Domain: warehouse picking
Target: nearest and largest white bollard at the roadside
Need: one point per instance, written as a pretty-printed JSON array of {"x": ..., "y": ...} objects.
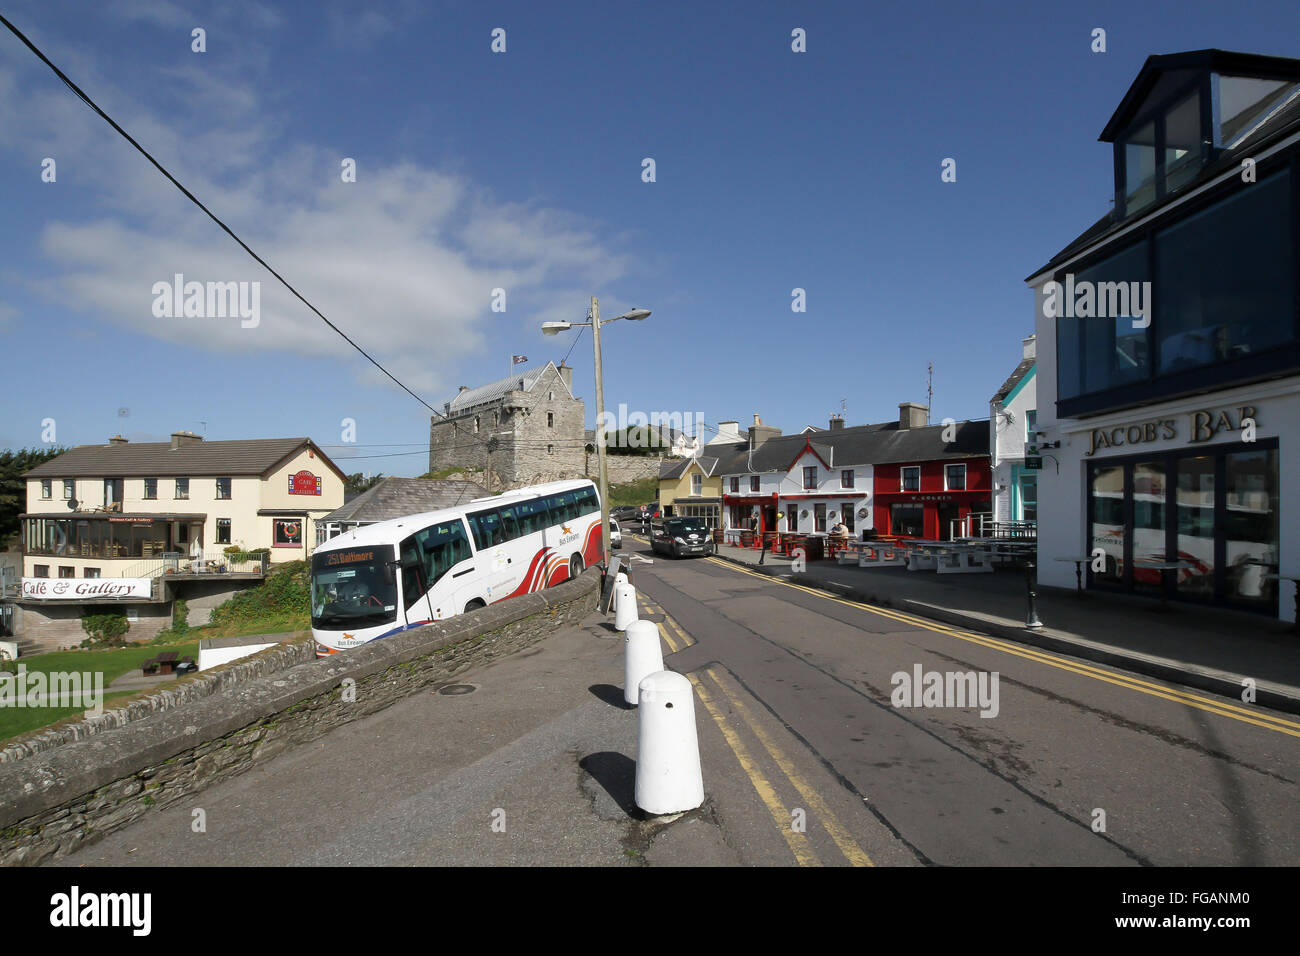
[{"x": 669, "y": 778}]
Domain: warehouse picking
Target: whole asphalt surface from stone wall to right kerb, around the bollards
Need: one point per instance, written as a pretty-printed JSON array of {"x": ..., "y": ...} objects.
[{"x": 807, "y": 760}]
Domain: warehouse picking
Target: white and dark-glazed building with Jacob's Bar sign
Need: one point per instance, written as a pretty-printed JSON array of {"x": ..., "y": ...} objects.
[{"x": 1169, "y": 347}]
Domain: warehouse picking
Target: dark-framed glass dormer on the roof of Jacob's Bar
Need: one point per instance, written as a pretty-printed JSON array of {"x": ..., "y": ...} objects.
[{"x": 1184, "y": 113}]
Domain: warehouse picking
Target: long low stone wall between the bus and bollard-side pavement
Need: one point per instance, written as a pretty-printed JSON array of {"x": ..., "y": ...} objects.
[{"x": 55, "y": 802}]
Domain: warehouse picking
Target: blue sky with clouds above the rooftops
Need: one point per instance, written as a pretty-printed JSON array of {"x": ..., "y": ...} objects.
[{"x": 522, "y": 171}]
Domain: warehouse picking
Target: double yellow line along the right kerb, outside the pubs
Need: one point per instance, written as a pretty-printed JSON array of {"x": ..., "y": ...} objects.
[{"x": 1260, "y": 719}]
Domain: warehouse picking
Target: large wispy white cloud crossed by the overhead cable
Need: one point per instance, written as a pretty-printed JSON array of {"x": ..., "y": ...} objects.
[{"x": 404, "y": 261}]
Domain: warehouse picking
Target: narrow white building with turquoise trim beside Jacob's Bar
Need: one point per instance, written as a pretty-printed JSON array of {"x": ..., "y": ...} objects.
[{"x": 1012, "y": 417}]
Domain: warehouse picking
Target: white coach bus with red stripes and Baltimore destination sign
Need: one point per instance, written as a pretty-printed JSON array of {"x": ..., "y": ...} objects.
[{"x": 385, "y": 578}]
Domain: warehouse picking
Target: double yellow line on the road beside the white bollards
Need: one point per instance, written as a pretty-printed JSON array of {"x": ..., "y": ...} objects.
[{"x": 785, "y": 819}]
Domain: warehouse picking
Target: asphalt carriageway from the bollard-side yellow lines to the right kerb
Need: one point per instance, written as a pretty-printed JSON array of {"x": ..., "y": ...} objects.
[{"x": 1081, "y": 765}]
